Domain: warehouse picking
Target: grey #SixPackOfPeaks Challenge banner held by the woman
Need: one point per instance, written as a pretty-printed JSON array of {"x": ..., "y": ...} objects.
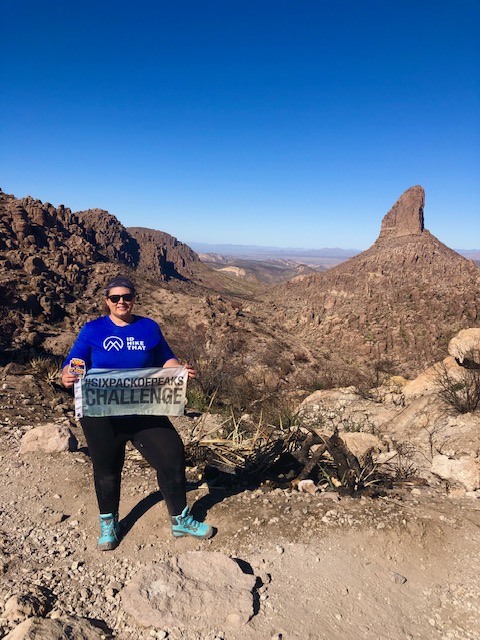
[{"x": 124, "y": 392}]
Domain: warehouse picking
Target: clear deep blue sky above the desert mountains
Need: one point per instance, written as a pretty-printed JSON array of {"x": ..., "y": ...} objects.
[{"x": 283, "y": 123}]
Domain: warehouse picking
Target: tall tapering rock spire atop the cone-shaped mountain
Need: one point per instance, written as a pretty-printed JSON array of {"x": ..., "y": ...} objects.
[{"x": 406, "y": 215}]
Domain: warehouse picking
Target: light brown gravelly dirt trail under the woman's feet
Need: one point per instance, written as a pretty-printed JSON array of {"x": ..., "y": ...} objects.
[{"x": 403, "y": 566}]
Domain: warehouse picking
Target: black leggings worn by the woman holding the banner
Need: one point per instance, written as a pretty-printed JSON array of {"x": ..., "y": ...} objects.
[{"x": 158, "y": 442}]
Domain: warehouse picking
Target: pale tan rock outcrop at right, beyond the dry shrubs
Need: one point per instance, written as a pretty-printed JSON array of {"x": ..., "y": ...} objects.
[{"x": 420, "y": 430}]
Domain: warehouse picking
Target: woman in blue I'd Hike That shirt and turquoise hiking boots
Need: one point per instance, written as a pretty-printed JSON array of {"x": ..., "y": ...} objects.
[{"x": 106, "y": 343}]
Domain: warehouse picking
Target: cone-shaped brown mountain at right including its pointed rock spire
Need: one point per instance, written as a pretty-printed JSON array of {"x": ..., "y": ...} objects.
[{"x": 396, "y": 304}]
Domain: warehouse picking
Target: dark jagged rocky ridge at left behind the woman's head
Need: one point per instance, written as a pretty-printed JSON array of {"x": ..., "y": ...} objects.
[{"x": 53, "y": 264}]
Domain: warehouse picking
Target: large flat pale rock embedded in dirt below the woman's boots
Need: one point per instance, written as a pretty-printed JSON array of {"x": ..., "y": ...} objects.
[{"x": 194, "y": 590}]
